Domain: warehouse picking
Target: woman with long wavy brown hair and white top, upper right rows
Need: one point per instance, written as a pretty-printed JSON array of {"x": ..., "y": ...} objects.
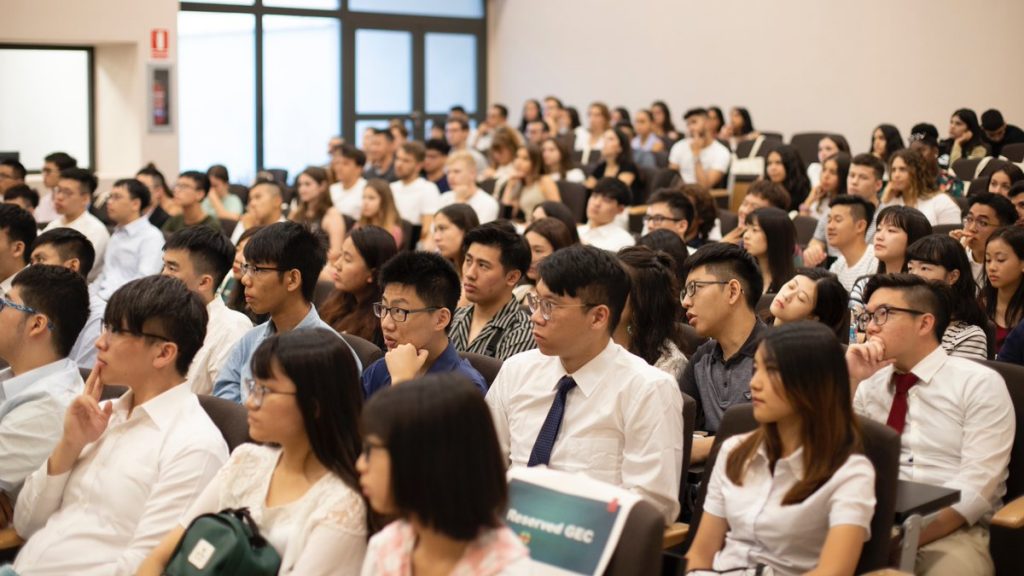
[{"x": 912, "y": 184}]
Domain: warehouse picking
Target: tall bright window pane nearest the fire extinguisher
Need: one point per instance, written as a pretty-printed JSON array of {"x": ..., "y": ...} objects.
[{"x": 217, "y": 72}]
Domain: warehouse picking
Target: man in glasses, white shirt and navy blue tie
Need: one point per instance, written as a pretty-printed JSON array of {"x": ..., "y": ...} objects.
[{"x": 549, "y": 403}]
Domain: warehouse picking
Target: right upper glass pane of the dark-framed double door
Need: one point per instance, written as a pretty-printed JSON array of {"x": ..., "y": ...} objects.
[{"x": 451, "y": 72}]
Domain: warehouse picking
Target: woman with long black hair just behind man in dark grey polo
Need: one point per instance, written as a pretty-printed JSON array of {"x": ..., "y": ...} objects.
[{"x": 772, "y": 238}]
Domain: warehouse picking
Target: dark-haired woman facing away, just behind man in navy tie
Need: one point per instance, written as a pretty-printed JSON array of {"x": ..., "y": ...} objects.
[{"x": 651, "y": 318}]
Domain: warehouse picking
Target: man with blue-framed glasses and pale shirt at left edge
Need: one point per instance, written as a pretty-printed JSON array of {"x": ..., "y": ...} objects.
[{"x": 41, "y": 317}]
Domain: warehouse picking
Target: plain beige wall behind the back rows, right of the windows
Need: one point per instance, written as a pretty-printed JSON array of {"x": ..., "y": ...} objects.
[{"x": 796, "y": 65}]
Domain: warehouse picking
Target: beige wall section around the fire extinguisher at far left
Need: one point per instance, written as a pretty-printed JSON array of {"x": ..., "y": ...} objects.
[{"x": 120, "y": 32}]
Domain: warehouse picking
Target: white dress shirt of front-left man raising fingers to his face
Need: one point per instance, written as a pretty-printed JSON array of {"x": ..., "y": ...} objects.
[{"x": 126, "y": 491}]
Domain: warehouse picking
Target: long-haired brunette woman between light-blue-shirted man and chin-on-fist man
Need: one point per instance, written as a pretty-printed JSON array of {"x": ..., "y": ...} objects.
[{"x": 350, "y": 309}]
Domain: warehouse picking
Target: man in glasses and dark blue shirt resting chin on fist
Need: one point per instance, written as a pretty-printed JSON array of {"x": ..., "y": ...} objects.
[{"x": 420, "y": 293}]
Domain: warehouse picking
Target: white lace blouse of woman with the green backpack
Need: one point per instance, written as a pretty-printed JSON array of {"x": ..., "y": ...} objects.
[{"x": 324, "y": 532}]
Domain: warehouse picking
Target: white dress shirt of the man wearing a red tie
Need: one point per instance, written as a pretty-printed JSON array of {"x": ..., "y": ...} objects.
[{"x": 960, "y": 429}]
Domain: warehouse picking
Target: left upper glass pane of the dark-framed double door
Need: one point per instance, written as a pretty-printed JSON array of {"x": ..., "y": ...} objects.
[{"x": 383, "y": 72}]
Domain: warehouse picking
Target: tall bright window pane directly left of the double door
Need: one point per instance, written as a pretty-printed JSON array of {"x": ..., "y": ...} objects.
[{"x": 302, "y": 91}]
